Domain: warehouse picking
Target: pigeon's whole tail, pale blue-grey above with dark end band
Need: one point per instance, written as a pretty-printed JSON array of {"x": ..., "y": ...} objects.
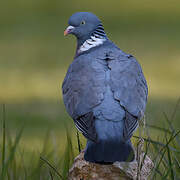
[{"x": 111, "y": 145}]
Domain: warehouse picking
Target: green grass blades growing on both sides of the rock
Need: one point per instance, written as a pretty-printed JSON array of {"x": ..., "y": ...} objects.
[{"x": 55, "y": 157}]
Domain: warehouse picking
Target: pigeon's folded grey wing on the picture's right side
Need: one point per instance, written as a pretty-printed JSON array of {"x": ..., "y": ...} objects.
[{"x": 130, "y": 89}]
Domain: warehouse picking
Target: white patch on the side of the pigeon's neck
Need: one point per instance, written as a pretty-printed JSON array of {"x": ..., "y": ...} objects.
[{"x": 90, "y": 43}]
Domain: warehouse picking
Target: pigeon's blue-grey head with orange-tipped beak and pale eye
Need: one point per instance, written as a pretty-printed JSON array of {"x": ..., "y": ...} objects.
[{"x": 83, "y": 25}]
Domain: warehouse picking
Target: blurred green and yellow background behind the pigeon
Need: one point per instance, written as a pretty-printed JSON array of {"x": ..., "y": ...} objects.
[{"x": 34, "y": 57}]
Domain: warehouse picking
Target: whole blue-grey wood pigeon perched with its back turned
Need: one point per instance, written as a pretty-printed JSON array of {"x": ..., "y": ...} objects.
[{"x": 104, "y": 91}]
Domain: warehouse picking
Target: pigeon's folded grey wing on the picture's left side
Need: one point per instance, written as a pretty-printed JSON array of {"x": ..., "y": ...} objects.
[{"x": 83, "y": 89}]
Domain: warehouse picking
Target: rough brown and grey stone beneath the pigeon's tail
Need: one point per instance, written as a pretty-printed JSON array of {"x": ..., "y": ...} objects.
[{"x": 83, "y": 170}]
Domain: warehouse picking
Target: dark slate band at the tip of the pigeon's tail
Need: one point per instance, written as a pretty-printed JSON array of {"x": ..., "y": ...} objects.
[{"x": 109, "y": 151}]
